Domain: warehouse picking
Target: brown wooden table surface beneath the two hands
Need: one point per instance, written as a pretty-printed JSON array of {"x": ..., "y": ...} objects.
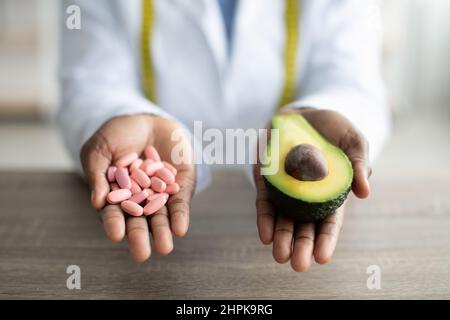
[{"x": 46, "y": 224}]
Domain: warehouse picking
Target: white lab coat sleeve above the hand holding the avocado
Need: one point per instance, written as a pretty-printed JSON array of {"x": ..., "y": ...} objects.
[{"x": 342, "y": 70}]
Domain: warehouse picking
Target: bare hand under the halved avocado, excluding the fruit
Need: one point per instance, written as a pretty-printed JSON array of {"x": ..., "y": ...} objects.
[{"x": 298, "y": 242}]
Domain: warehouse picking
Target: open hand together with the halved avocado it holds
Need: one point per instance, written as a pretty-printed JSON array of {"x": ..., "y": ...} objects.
[{"x": 322, "y": 156}]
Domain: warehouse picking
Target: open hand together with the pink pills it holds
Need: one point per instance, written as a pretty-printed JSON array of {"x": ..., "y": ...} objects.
[{"x": 138, "y": 189}]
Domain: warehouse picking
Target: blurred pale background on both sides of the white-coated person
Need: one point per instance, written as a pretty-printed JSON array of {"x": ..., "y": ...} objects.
[{"x": 416, "y": 67}]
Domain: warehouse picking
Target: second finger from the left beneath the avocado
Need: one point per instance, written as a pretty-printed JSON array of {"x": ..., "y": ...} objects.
[{"x": 282, "y": 239}]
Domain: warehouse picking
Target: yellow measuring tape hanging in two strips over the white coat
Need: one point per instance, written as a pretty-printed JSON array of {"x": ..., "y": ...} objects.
[{"x": 291, "y": 24}]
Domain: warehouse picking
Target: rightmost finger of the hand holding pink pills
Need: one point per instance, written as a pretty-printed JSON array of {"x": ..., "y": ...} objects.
[{"x": 179, "y": 203}]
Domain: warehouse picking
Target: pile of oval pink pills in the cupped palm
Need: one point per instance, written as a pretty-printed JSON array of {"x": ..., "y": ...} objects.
[{"x": 141, "y": 186}]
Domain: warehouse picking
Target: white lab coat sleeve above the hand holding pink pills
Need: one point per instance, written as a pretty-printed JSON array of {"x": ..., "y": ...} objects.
[{"x": 99, "y": 75}]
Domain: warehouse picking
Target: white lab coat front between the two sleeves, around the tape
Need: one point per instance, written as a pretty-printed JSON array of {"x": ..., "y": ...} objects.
[{"x": 196, "y": 78}]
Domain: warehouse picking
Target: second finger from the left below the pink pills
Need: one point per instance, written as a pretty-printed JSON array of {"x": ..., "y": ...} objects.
[{"x": 138, "y": 238}]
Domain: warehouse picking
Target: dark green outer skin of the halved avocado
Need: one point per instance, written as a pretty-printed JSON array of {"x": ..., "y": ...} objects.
[{"x": 300, "y": 210}]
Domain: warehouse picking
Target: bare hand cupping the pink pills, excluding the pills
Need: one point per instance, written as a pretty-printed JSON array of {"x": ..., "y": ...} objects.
[{"x": 122, "y": 135}]
